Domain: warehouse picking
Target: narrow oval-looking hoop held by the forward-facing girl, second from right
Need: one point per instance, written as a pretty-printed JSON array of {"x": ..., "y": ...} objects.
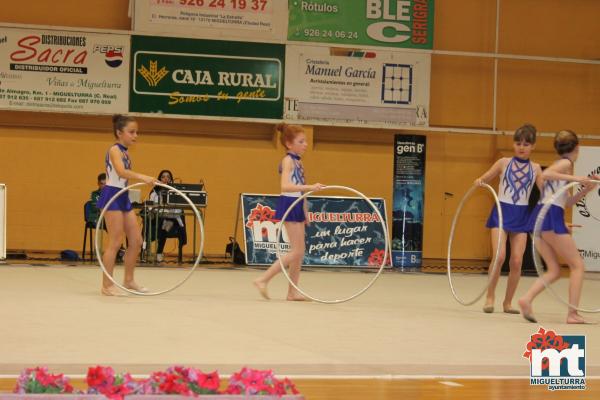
[{"x": 451, "y": 238}]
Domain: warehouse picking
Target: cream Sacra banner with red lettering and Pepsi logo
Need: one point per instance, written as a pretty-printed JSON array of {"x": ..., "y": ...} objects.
[{"x": 63, "y": 71}]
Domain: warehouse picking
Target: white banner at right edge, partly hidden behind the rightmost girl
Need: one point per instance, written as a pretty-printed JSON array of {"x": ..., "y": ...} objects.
[{"x": 586, "y": 213}]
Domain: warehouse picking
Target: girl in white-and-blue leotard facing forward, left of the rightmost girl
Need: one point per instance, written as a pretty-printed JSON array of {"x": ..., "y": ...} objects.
[{"x": 517, "y": 177}]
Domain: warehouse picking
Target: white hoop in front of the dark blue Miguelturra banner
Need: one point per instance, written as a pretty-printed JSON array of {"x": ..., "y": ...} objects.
[{"x": 355, "y": 295}]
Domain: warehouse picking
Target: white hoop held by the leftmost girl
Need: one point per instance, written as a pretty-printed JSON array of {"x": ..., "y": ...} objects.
[{"x": 99, "y": 226}]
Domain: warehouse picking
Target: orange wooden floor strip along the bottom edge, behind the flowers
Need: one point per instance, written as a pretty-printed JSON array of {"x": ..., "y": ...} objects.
[{"x": 425, "y": 389}]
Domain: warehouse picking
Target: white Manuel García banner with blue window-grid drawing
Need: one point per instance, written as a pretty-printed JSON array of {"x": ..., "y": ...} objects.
[{"x": 358, "y": 87}]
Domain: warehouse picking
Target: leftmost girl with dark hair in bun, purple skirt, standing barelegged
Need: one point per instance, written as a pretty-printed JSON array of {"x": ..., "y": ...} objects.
[{"x": 120, "y": 218}]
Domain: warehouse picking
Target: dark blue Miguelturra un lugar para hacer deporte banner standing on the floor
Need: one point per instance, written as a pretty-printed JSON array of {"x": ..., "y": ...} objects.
[{"x": 343, "y": 231}]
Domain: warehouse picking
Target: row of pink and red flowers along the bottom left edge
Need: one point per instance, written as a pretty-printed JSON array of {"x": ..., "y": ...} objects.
[{"x": 176, "y": 380}]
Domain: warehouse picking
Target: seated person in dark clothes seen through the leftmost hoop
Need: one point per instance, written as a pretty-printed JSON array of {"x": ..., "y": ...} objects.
[{"x": 171, "y": 221}]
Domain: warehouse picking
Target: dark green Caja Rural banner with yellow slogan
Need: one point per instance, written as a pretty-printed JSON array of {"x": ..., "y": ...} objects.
[{"x": 206, "y": 77}]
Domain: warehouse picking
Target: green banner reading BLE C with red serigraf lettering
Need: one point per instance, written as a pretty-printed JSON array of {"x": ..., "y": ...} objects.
[{"x": 389, "y": 23}]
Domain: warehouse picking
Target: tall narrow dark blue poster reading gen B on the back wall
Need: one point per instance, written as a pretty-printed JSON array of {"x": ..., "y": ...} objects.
[{"x": 408, "y": 203}]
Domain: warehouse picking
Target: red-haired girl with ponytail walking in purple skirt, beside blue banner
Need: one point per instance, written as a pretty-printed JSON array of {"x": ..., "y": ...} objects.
[{"x": 293, "y": 184}]
